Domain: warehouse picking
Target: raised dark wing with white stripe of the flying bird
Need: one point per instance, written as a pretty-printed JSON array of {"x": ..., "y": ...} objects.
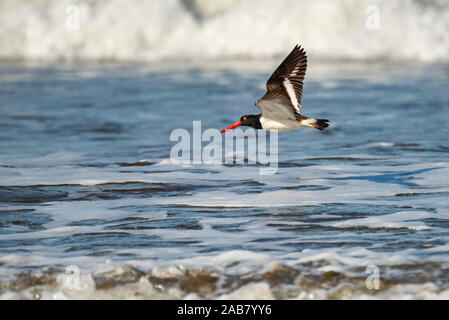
[{"x": 284, "y": 88}]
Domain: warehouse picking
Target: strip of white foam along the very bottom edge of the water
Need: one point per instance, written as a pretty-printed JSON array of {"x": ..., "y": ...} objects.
[{"x": 258, "y": 290}]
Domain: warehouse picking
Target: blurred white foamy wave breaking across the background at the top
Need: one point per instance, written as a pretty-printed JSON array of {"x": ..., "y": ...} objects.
[{"x": 200, "y": 29}]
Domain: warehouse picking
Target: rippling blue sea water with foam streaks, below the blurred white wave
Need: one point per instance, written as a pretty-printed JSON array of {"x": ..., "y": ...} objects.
[{"x": 89, "y": 195}]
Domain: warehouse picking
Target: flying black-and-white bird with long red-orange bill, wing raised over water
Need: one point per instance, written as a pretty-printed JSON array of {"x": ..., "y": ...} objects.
[{"x": 281, "y": 103}]
